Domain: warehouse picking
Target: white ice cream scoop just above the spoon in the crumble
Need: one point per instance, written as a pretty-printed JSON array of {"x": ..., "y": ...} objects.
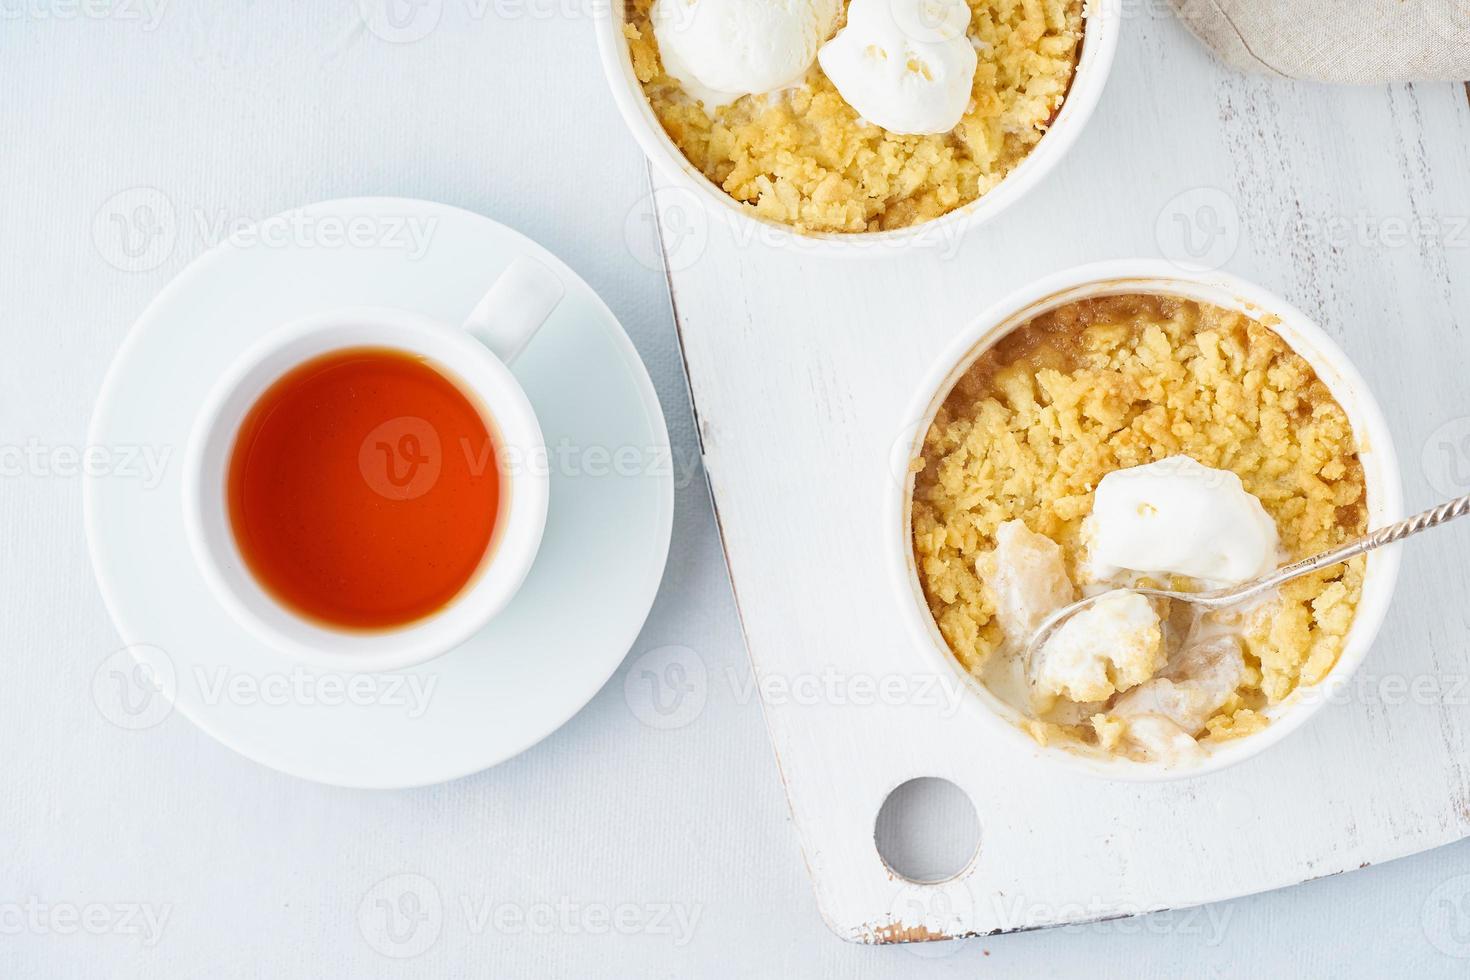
[{"x": 1180, "y": 518}]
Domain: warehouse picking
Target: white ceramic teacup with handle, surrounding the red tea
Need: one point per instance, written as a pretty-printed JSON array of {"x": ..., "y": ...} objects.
[{"x": 476, "y": 355}]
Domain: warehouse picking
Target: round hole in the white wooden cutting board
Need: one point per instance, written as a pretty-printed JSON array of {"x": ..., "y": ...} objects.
[{"x": 928, "y": 831}]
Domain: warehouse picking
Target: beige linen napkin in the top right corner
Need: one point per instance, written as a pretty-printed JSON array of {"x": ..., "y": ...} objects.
[{"x": 1352, "y": 42}]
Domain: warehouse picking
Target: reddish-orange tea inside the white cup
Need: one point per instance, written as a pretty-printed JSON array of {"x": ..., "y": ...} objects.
[{"x": 364, "y": 490}]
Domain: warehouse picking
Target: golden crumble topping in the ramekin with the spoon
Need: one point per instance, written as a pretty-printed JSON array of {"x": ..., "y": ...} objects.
[{"x": 1114, "y": 383}]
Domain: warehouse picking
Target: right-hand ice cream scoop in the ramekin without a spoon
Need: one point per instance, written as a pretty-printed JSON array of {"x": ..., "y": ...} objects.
[{"x": 905, "y": 65}]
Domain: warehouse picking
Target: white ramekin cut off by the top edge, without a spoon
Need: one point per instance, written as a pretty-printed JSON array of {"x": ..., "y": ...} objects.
[{"x": 1100, "y": 42}]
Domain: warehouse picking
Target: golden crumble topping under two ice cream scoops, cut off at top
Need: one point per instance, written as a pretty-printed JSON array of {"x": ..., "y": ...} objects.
[{"x": 806, "y": 159}]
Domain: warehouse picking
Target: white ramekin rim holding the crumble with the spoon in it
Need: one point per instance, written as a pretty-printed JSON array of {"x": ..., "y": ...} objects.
[{"x": 1333, "y": 367}]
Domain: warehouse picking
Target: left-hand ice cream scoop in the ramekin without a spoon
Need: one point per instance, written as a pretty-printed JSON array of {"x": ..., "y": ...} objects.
[{"x": 720, "y": 51}]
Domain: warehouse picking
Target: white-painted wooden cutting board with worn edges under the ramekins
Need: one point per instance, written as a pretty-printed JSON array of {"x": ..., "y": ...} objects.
[{"x": 1352, "y": 203}]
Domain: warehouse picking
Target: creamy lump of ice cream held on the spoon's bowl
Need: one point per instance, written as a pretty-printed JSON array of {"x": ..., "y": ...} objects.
[{"x": 1112, "y": 646}]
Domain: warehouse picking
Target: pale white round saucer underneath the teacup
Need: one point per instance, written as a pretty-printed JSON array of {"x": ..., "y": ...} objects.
[{"x": 542, "y": 660}]
